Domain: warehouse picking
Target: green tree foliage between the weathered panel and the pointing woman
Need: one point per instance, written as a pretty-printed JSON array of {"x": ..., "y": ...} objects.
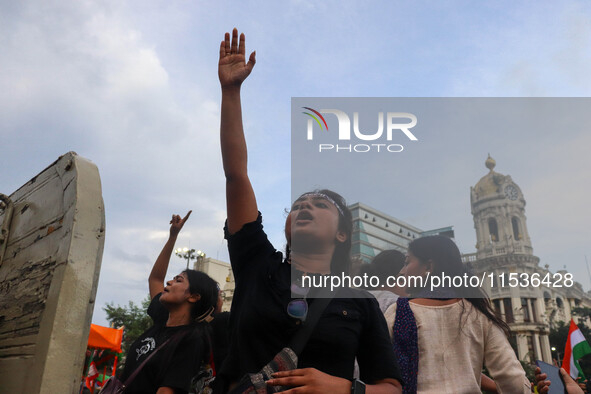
[{"x": 133, "y": 317}]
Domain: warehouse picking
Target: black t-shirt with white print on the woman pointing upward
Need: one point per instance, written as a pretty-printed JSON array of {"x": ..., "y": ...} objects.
[{"x": 172, "y": 366}]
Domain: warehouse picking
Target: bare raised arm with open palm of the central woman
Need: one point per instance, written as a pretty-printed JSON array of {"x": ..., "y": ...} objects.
[{"x": 232, "y": 71}]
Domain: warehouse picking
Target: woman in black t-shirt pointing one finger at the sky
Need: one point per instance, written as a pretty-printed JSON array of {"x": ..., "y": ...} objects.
[{"x": 176, "y": 346}]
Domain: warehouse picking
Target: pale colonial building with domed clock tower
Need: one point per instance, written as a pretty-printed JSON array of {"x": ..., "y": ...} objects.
[{"x": 504, "y": 249}]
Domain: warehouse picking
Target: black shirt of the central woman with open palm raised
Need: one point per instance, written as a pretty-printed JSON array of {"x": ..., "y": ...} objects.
[{"x": 261, "y": 327}]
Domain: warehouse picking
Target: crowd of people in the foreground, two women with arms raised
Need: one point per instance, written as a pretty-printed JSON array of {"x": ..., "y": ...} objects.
[{"x": 281, "y": 335}]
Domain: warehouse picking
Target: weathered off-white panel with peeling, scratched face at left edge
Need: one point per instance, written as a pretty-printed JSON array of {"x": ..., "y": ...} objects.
[{"x": 49, "y": 266}]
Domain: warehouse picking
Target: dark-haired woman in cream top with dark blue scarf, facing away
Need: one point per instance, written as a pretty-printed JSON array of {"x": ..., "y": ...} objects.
[{"x": 442, "y": 340}]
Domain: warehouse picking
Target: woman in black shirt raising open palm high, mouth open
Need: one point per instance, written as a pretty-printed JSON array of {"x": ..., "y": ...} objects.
[{"x": 264, "y": 317}]
